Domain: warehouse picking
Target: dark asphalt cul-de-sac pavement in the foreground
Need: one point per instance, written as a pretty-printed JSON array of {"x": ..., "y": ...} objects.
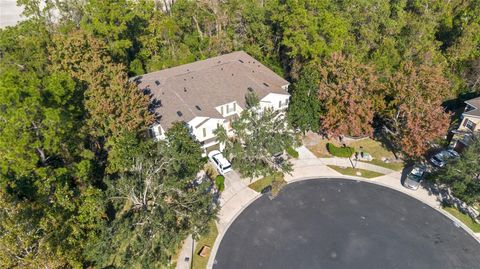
[{"x": 337, "y": 223}]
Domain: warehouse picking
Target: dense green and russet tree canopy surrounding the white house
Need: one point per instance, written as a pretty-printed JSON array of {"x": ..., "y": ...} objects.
[{"x": 71, "y": 120}]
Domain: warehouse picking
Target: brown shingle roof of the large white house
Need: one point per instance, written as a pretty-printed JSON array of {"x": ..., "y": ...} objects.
[{"x": 194, "y": 90}]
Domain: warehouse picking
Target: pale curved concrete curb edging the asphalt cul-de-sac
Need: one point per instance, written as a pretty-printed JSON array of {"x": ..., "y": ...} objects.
[{"x": 438, "y": 209}]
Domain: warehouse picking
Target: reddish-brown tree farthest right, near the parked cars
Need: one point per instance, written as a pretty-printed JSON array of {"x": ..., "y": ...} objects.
[{"x": 414, "y": 115}]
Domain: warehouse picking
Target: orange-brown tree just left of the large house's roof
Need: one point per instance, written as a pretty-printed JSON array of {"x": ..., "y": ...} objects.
[{"x": 114, "y": 106}]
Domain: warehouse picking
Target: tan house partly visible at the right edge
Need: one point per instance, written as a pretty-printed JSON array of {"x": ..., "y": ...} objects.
[{"x": 470, "y": 123}]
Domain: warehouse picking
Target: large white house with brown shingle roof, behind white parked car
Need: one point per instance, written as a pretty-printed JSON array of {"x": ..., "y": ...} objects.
[{"x": 211, "y": 93}]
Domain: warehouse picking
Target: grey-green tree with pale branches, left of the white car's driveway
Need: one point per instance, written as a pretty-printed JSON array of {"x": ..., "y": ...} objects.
[{"x": 155, "y": 204}]
